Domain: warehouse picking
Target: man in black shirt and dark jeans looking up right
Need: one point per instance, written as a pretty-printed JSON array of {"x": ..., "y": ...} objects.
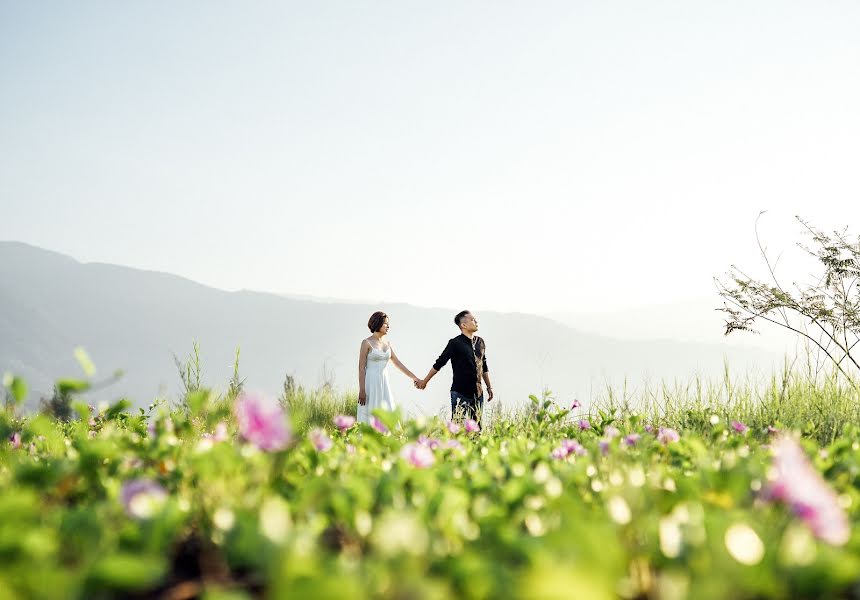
[{"x": 468, "y": 355}]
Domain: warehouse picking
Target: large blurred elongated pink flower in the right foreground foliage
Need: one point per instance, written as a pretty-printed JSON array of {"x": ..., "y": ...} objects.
[{"x": 799, "y": 485}]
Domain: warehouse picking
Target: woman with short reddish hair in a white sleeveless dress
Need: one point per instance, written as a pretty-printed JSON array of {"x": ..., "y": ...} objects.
[{"x": 374, "y": 390}]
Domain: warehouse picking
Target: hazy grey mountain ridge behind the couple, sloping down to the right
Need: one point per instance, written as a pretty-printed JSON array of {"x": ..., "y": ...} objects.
[{"x": 137, "y": 320}]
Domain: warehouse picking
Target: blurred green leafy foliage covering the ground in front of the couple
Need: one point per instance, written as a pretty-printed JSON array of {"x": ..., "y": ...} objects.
[{"x": 171, "y": 501}]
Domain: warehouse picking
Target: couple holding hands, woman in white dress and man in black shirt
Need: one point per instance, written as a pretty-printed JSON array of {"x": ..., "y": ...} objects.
[{"x": 467, "y": 353}]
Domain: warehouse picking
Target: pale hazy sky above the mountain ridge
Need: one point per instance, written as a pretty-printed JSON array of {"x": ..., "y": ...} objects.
[{"x": 513, "y": 156}]
